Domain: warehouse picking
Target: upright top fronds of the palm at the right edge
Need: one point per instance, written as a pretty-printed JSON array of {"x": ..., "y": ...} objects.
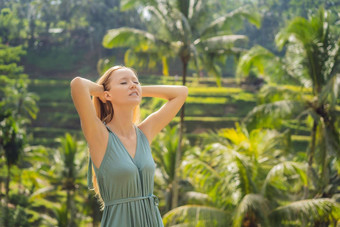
[{"x": 318, "y": 51}]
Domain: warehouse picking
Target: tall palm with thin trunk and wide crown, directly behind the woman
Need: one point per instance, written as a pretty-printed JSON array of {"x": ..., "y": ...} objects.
[{"x": 184, "y": 29}]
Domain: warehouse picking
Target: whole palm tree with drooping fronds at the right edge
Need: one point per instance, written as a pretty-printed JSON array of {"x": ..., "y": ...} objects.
[{"x": 311, "y": 61}]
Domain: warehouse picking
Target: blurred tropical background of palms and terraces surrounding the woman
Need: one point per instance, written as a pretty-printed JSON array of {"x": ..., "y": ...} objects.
[{"x": 257, "y": 143}]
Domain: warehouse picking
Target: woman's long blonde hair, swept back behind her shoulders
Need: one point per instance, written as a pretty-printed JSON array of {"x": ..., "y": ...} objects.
[{"x": 105, "y": 113}]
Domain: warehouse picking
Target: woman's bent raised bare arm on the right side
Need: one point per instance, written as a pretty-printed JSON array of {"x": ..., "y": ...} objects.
[{"x": 156, "y": 121}]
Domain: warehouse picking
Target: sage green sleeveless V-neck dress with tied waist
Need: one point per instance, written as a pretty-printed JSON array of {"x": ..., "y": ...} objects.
[{"x": 126, "y": 184}]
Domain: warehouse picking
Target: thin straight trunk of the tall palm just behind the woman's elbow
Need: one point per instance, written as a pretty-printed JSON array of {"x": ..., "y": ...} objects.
[{"x": 175, "y": 188}]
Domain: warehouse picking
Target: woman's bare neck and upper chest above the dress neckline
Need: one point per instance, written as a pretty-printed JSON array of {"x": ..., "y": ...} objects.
[{"x": 121, "y": 122}]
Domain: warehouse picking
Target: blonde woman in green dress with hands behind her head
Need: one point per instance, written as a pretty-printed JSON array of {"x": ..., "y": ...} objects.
[{"x": 121, "y": 168}]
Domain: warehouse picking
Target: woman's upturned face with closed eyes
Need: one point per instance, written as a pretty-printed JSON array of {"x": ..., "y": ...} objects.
[{"x": 124, "y": 88}]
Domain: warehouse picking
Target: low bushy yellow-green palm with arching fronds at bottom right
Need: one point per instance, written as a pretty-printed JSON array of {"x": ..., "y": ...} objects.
[{"x": 250, "y": 183}]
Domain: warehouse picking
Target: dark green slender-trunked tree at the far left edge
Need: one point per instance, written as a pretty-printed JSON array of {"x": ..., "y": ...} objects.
[{"x": 18, "y": 107}]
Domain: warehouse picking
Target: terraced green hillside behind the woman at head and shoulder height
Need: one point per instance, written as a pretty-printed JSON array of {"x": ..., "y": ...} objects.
[{"x": 207, "y": 108}]
